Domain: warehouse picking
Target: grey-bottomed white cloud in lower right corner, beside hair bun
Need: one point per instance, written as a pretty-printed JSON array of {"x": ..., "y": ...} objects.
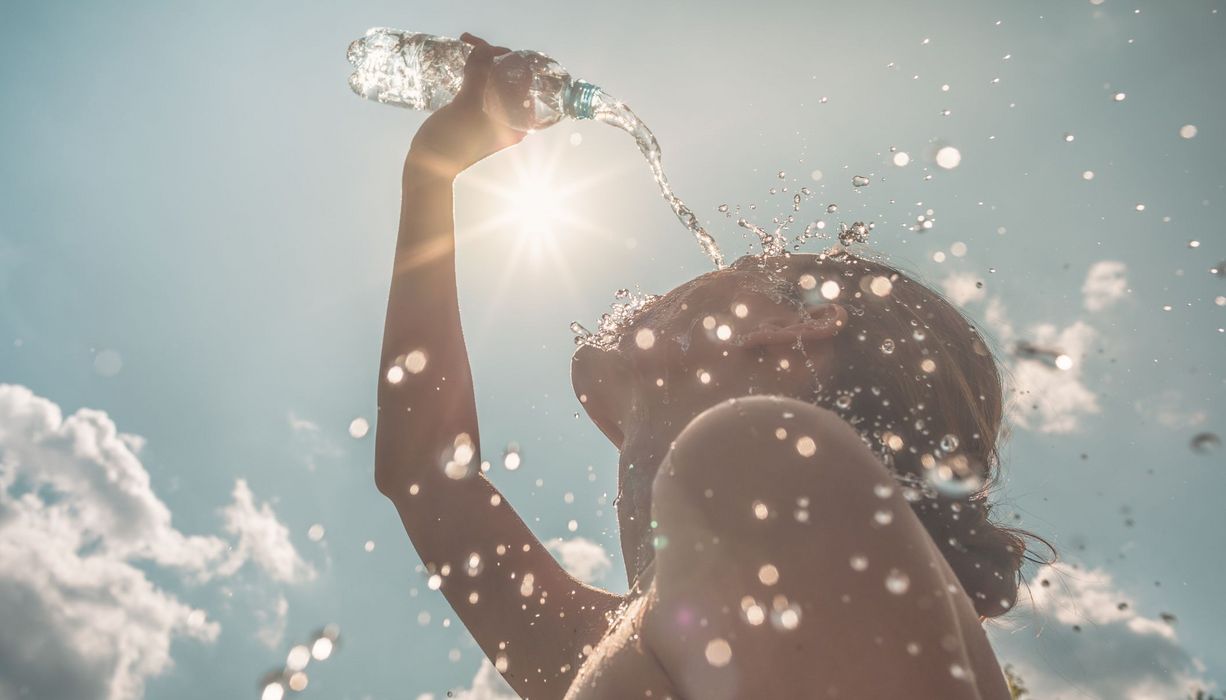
[{"x": 1116, "y": 652}]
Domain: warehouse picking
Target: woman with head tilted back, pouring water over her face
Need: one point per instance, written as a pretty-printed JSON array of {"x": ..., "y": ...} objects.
[{"x": 805, "y": 447}]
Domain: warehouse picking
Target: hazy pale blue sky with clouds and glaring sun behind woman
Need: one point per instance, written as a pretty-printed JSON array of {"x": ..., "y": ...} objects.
[{"x": 197, "y": 227}]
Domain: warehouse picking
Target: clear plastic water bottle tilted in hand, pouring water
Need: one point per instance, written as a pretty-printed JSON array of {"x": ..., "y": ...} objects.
[{"x": 527, "y": 90}]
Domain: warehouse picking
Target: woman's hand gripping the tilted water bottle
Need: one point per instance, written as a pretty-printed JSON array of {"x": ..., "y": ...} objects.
[{"x": 462, "y": 134}]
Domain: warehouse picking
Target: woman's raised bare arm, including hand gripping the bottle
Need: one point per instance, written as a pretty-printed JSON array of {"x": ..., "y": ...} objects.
[{"x": 508, "y": 590}]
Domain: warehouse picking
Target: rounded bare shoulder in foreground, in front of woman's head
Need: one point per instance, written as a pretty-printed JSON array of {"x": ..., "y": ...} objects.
[{"x": 790, "y": 565}]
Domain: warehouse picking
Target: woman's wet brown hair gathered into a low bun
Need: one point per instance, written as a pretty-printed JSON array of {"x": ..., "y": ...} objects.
[{"x": 919, "y": 382}]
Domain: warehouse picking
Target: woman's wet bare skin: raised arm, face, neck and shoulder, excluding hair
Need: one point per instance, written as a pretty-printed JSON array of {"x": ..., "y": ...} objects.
[{"x": 699, "y": 465}]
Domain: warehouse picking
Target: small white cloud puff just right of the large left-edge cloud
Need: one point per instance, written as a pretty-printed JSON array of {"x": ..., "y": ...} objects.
[{"x": 263, "y": 540}]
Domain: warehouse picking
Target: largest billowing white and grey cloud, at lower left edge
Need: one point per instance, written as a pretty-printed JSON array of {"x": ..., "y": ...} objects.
[{"x": 79, "y": 525}]
